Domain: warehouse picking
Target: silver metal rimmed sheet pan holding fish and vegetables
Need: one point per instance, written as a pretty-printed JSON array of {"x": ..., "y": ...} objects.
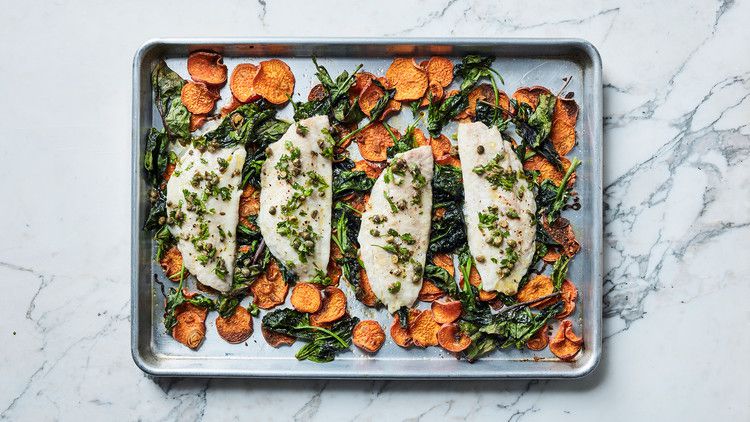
[{"x": 522, "y": 62}]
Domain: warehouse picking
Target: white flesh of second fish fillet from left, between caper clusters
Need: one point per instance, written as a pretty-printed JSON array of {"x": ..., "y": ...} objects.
[{"x": 313, "y": 214}]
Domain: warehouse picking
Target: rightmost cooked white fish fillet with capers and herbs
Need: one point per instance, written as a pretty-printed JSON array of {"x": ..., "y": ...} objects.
[{"x": 499, "y": 207}]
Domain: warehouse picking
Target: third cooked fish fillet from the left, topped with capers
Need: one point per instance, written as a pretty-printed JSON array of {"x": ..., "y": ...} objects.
[{"x": 397, "y": 217}]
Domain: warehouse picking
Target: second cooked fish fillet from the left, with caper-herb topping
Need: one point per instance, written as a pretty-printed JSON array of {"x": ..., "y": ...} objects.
[{"x": 295, "y": 198}]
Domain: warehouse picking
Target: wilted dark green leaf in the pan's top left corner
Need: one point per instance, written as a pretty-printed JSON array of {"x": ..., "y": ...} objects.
[{"x": 167, "y": 86}]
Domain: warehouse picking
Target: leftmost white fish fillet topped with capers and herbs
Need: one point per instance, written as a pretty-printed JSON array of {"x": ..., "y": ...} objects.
[{"x": 218, "y": 225}]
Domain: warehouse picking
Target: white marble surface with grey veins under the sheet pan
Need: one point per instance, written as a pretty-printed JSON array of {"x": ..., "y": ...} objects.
[{"x": 677, "y": 176}]
